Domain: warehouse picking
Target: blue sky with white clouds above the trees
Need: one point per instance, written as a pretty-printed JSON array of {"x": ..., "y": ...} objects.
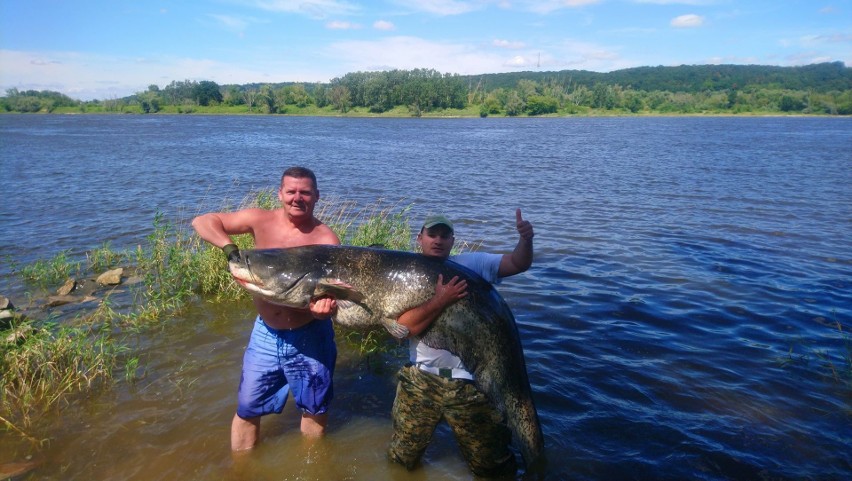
[{"x": 105, "y": 49}]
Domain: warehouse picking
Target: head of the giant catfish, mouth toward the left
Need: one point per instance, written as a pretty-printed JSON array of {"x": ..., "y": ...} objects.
[{"x": 280, "y": 276}]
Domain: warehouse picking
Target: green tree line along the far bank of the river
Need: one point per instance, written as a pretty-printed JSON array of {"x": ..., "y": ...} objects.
[{"x": 813, "y": 89}]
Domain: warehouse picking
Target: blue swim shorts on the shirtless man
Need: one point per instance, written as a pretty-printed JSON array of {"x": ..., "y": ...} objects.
[{"x": 278, "y": 361}]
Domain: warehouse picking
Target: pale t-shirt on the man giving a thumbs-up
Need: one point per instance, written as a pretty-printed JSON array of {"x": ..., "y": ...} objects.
[{"x": 487, "y": 266}]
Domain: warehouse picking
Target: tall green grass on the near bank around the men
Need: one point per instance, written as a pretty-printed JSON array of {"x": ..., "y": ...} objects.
[{"x": 47, "y": 364}]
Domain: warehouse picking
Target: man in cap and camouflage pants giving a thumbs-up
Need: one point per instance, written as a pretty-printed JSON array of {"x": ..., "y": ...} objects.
[{"x": 435, "y": 385}]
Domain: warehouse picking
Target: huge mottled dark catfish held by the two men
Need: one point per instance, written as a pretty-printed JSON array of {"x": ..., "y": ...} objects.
[{"x": 374, "y": 286}]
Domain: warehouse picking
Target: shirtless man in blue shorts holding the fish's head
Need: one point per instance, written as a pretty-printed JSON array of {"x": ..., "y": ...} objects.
[{"x": 290, "y": 349}]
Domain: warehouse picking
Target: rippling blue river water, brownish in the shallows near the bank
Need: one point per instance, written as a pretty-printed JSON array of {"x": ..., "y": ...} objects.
[{"x": 686, "y": 316}]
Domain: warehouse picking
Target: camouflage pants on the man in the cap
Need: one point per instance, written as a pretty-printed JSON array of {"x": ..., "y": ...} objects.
[{"x": 423, "y": 399}]
